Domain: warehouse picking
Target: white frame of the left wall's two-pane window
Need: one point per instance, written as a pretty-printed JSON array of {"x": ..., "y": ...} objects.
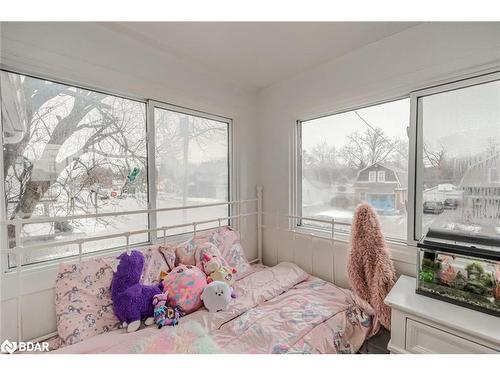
[{"x": 151, "y": 170}]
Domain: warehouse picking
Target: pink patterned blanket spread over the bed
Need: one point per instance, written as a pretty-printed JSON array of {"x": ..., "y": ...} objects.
[{"x": 280, "y": 309}]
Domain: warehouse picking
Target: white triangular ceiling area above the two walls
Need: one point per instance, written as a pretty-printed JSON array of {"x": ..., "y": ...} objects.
[{"x": 258, "y": 54}]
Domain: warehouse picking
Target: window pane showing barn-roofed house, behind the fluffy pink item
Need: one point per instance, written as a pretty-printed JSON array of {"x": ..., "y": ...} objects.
[{"x": 357, "y": 156}]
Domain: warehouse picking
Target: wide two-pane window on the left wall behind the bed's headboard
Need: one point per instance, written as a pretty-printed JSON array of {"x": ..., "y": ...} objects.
[{"x": 71, "y": 151}]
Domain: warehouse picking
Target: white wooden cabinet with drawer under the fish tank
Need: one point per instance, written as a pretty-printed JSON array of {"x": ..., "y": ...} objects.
[{"x": 425, "y": 325}]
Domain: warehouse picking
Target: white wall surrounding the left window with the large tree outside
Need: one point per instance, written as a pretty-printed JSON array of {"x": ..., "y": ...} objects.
[{"x": 94, "y": 56}]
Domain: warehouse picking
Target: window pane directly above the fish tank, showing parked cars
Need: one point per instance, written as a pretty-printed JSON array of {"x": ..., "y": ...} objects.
[{"x": 461, "y": 162}]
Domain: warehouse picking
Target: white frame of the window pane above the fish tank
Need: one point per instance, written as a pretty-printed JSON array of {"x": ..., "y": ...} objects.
[{"x": 415, "y": 170}]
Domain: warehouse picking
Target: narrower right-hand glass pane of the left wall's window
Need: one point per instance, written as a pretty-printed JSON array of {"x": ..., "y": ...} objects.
[{"x": 191, "y": 167}]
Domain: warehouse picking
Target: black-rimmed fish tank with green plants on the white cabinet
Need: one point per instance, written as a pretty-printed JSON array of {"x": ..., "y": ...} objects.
[{"x": 460, "y": 269}]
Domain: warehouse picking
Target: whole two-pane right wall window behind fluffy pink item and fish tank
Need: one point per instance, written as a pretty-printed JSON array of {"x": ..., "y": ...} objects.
[{"x": 451, "y": 147}]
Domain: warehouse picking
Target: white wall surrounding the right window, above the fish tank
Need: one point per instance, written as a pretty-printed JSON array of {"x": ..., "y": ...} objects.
[{"x": 390, "y": 68}]
